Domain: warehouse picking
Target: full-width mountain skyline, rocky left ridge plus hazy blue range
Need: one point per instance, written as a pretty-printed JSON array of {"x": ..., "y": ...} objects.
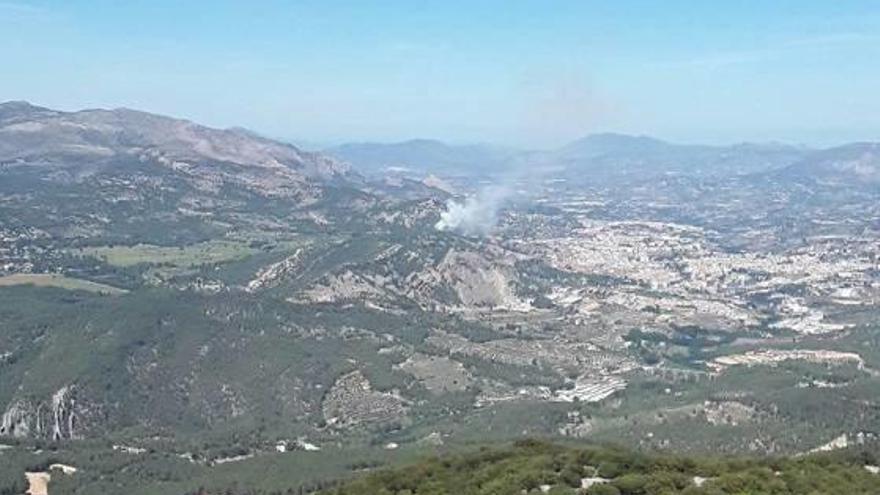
[{"x": 74, "y": 145}]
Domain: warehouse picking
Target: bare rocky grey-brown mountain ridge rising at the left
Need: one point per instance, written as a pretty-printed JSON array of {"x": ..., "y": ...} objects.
[{"x": 79, "y": 144}]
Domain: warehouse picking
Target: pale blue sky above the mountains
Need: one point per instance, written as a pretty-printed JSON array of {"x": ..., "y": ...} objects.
[{"x": 523, "y": 73}]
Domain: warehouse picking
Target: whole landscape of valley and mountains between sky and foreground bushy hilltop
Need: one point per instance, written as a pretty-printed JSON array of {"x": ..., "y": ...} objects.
[{"x": 176, "y": 298}]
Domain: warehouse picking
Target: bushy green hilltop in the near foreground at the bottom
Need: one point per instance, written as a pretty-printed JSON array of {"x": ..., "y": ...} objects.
[{"x": 539, "y": 467}]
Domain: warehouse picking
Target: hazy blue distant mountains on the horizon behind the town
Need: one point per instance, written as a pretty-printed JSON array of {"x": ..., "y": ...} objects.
[{"x": 614, "y": 157}]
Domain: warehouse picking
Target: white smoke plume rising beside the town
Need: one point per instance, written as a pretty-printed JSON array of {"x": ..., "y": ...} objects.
[{"x": 475, "y": 215}]
